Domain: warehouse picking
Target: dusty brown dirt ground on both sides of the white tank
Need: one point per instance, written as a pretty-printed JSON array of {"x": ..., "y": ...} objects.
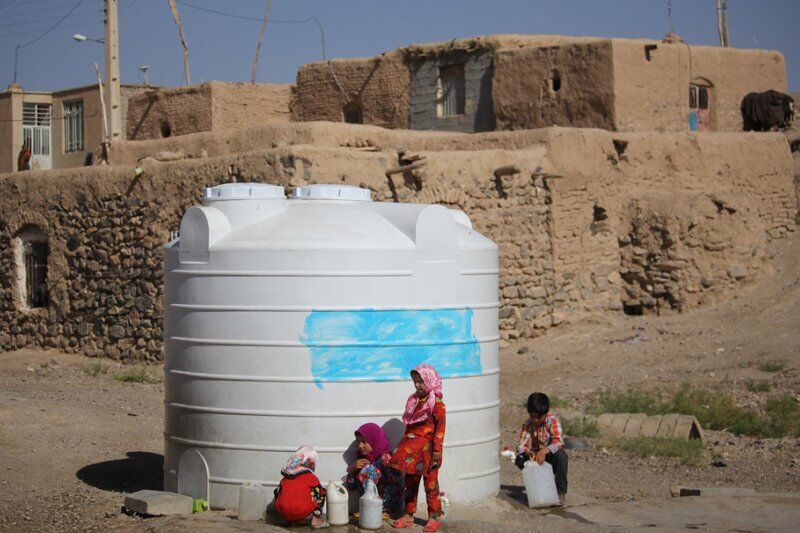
[{"x": 71, "y": 443}]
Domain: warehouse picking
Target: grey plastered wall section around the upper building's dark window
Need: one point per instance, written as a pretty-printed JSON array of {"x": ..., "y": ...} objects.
[{"x": 478, "y": 111}]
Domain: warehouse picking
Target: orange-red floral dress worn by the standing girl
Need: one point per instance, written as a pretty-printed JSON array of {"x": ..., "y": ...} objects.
[{"x": 414, "y": 453}]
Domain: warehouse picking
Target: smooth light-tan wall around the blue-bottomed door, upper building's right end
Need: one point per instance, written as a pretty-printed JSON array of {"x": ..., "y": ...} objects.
[{"x": 652, "y": 95}]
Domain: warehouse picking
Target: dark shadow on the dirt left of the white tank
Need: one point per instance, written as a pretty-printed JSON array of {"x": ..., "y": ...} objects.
[{"x": 140, "y": 470}]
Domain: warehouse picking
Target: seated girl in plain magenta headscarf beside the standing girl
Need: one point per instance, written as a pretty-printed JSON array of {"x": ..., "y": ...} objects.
[{"x": 373, "y": 463}]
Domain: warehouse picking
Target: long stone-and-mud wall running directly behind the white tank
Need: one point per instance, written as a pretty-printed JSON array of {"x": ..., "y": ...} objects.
[{"x": 664, "y": 223}]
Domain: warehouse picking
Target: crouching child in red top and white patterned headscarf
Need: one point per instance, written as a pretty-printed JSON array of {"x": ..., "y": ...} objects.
[{"x": 300, "y": 496}]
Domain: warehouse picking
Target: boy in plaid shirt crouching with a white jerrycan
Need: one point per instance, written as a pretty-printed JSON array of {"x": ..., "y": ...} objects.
[{"x": 541, "y": 439}]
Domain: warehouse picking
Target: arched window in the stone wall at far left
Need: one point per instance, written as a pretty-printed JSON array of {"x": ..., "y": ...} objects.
[{"x": 32, "y": 251}]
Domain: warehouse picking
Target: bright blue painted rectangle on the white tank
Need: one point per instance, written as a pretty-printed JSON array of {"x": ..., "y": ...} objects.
[{"x": 388, "y": 344}]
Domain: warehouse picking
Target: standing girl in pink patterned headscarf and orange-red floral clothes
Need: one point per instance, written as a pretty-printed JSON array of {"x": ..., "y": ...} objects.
[{"x": 419, "y": 454}]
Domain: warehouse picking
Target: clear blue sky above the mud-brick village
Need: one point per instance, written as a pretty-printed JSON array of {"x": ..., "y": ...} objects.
[{"x": 222, "y": 48}]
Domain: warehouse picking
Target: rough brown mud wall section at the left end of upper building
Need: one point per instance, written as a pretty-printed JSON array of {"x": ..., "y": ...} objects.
[{"x": 380, "y": 85}]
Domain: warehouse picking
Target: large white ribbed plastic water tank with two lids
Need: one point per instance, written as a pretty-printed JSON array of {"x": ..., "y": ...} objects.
[{"x": 294, "y": 321}]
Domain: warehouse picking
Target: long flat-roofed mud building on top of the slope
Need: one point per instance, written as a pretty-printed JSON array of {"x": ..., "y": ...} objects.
[{"x": 511, "y": 82}]
